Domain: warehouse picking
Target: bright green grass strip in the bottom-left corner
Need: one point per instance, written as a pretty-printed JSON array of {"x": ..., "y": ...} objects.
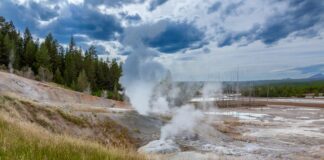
[{"x": 24, "y": 141}]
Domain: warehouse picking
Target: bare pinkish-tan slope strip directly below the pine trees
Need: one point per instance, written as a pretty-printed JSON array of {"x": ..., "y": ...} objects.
[{"x": 49, "y": 92}]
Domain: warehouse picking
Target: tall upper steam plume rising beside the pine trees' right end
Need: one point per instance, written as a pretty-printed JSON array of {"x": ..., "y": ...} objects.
[{"x": 141, "y": 72}]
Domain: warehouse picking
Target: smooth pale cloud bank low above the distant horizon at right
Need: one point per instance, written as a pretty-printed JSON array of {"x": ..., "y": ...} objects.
[{"x": 255, "y": 61}]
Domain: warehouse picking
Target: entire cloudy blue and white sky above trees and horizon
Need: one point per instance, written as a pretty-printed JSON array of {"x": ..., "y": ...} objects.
[{"x": 196, "y": 40}]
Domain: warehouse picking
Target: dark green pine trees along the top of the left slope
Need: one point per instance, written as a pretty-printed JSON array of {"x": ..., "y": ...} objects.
[{"x": 49, "y": 61}]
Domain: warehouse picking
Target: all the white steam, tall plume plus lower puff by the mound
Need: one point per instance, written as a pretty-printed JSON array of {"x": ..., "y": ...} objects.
[{"x": 150, "y": 88}]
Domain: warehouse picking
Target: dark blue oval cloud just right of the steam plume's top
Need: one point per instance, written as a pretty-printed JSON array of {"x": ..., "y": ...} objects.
[{"x": 175, "y": 37}]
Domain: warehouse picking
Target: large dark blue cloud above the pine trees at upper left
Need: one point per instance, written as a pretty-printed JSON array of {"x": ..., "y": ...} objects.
[{"x": 77, "y": 19}]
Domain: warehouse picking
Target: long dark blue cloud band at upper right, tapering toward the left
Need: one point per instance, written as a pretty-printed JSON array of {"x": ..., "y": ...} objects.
[{"x": 300, "y": 18}]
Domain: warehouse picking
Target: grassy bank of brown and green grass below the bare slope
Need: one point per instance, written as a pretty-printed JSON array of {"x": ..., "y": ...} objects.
[{"x": 28, "y": 132}]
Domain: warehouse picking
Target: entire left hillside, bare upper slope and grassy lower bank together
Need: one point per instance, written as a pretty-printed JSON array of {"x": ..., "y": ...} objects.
[{"x": 44, "y": 121}]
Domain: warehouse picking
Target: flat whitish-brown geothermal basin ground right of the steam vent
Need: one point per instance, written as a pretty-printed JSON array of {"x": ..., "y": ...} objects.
[{"x": 268, "y": 132}]
